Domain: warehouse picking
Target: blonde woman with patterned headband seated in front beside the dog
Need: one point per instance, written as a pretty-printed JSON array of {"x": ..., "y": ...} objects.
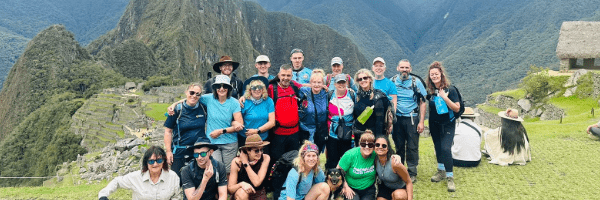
[{"x": 306, "y": 180}]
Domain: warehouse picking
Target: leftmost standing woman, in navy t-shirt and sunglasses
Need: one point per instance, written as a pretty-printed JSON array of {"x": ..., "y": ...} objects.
[{"x": 184, "y": 127}]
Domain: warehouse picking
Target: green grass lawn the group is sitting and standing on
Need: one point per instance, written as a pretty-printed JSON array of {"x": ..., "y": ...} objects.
[{"x": 564, "y": 166}]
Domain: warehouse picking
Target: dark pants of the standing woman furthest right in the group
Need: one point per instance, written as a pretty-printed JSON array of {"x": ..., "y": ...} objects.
[{"x": 443, "y": 136}]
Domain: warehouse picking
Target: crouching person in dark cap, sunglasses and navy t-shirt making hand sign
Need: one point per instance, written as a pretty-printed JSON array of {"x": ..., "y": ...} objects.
[{"x": 204, "y": 177}]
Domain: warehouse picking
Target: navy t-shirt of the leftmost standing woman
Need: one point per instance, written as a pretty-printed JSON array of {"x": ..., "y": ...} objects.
[{"x": 190, "y": 128}]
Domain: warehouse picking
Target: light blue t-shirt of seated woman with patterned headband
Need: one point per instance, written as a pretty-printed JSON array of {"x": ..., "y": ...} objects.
[{"x": 296, "y": 190}]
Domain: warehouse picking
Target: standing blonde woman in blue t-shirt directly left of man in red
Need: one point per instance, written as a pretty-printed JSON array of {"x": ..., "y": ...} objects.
[{"x": 258, "y": 110}]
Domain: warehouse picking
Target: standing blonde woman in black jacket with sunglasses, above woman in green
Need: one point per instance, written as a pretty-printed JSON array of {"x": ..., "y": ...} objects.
[{"x": 369, "y": 98}]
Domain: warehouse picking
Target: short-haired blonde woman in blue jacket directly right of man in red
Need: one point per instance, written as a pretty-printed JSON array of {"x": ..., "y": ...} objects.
[{"x": 313, "y": 119}]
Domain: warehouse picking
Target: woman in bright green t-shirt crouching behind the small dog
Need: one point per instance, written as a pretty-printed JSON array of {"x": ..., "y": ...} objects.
[{"x": 358, "y": 163}]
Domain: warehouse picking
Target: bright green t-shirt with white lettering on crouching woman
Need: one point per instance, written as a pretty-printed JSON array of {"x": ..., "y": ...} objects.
[{"x": 360, "y": 172}]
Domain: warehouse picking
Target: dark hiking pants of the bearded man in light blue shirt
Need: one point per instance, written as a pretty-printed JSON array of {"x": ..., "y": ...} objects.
[{"x": 406, "y": 139}]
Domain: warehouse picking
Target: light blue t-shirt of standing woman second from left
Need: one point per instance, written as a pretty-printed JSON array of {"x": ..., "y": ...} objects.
[{"x": 219, "y": 117}]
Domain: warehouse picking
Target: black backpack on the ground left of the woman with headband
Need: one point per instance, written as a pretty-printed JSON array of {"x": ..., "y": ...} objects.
[{"x": 280, "y": 170}]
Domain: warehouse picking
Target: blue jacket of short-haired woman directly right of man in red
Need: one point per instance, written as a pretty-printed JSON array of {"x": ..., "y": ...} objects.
[{"x": 307, "y": 116}]
